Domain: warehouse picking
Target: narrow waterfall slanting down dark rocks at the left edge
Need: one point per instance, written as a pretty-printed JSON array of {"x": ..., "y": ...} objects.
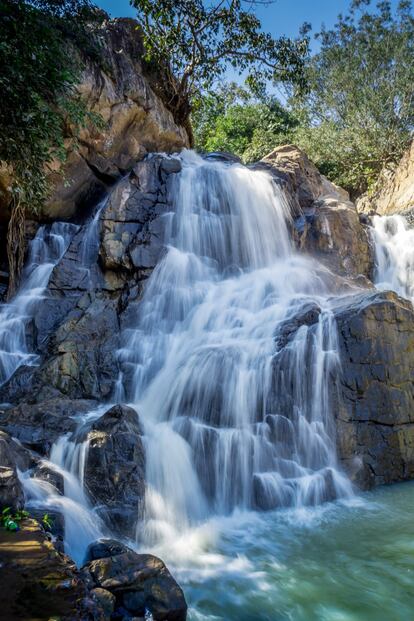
[{"x": 45, "y": 251}]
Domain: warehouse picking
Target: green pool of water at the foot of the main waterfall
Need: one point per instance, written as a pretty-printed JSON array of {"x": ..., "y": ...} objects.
[{"x": 351, "y": 562}]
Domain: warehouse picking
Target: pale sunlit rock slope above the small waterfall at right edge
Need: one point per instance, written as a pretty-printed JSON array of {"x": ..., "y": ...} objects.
[{"x": 394, "y": 190}]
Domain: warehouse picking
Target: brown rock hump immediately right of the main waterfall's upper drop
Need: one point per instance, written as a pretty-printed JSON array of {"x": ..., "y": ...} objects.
[{"x": 326, "y": 222}]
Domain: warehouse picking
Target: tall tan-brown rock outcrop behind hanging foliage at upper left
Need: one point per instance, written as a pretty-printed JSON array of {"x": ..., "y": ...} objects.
[{"x": 135, "y": 122}]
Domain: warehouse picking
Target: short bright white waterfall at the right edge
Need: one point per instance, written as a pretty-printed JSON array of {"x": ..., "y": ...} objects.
[{"x": 394, "y": 250}]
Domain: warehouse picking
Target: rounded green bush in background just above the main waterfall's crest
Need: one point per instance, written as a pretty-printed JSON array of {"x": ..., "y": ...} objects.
[{"x": 230, "y": 119}]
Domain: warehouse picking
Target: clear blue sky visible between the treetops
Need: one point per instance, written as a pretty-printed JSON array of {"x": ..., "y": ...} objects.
[{"x": 283, "y": 17}]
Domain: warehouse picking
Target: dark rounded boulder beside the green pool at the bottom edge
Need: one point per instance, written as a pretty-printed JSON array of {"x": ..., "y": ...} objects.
[{"x": 139, "y": 582}]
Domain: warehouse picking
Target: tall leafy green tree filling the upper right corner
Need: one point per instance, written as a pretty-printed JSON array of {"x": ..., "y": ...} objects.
[{"x": 359, "y": 113}]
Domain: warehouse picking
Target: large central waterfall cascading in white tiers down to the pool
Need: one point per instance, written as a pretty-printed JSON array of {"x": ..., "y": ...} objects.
[{"x": 233, "y": 391}]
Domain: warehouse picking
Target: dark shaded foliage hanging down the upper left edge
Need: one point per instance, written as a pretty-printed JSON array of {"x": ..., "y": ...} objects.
[{"x": 39, "y": 71}]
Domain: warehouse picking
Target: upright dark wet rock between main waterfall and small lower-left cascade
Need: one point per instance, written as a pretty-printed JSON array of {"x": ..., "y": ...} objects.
[{"x": 115, "y": 468}]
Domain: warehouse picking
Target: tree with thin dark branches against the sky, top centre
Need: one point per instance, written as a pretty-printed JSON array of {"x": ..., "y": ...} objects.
[{"x": 196, "y": 41}]
